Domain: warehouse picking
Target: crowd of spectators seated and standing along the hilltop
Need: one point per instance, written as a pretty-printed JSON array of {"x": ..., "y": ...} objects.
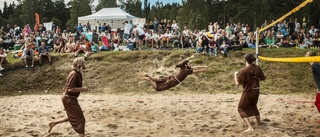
[{"x": 216, "y": 39}]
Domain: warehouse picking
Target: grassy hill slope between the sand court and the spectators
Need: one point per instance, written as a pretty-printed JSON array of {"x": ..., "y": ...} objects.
[{"x": 118, "y": 72}]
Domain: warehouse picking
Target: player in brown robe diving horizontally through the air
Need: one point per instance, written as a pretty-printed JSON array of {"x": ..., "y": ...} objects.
[{"x": 171, "y": 81}]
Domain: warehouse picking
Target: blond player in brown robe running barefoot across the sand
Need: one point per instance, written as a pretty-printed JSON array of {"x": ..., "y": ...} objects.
[{"x": 70, "y": 101}]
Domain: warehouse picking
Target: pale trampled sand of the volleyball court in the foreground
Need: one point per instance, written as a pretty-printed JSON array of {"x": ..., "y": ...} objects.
[{"x": 160, "y": 115}]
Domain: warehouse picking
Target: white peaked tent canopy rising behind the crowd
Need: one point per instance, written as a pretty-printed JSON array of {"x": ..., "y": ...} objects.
[{"x": 112, "y": 16}]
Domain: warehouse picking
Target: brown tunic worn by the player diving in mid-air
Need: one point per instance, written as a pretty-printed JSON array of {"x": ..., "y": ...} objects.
[{"x": 171, "y": 81}]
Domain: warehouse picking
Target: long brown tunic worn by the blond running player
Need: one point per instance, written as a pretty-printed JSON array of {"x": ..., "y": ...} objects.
[{"x": 70, "y": 102}]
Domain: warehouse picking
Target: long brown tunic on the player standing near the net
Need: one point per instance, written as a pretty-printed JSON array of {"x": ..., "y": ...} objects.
[{"x": 249, "y": 77}]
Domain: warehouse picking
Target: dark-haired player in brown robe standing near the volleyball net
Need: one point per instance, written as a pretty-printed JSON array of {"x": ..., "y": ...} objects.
[{"x": 249, "y": 77}]
